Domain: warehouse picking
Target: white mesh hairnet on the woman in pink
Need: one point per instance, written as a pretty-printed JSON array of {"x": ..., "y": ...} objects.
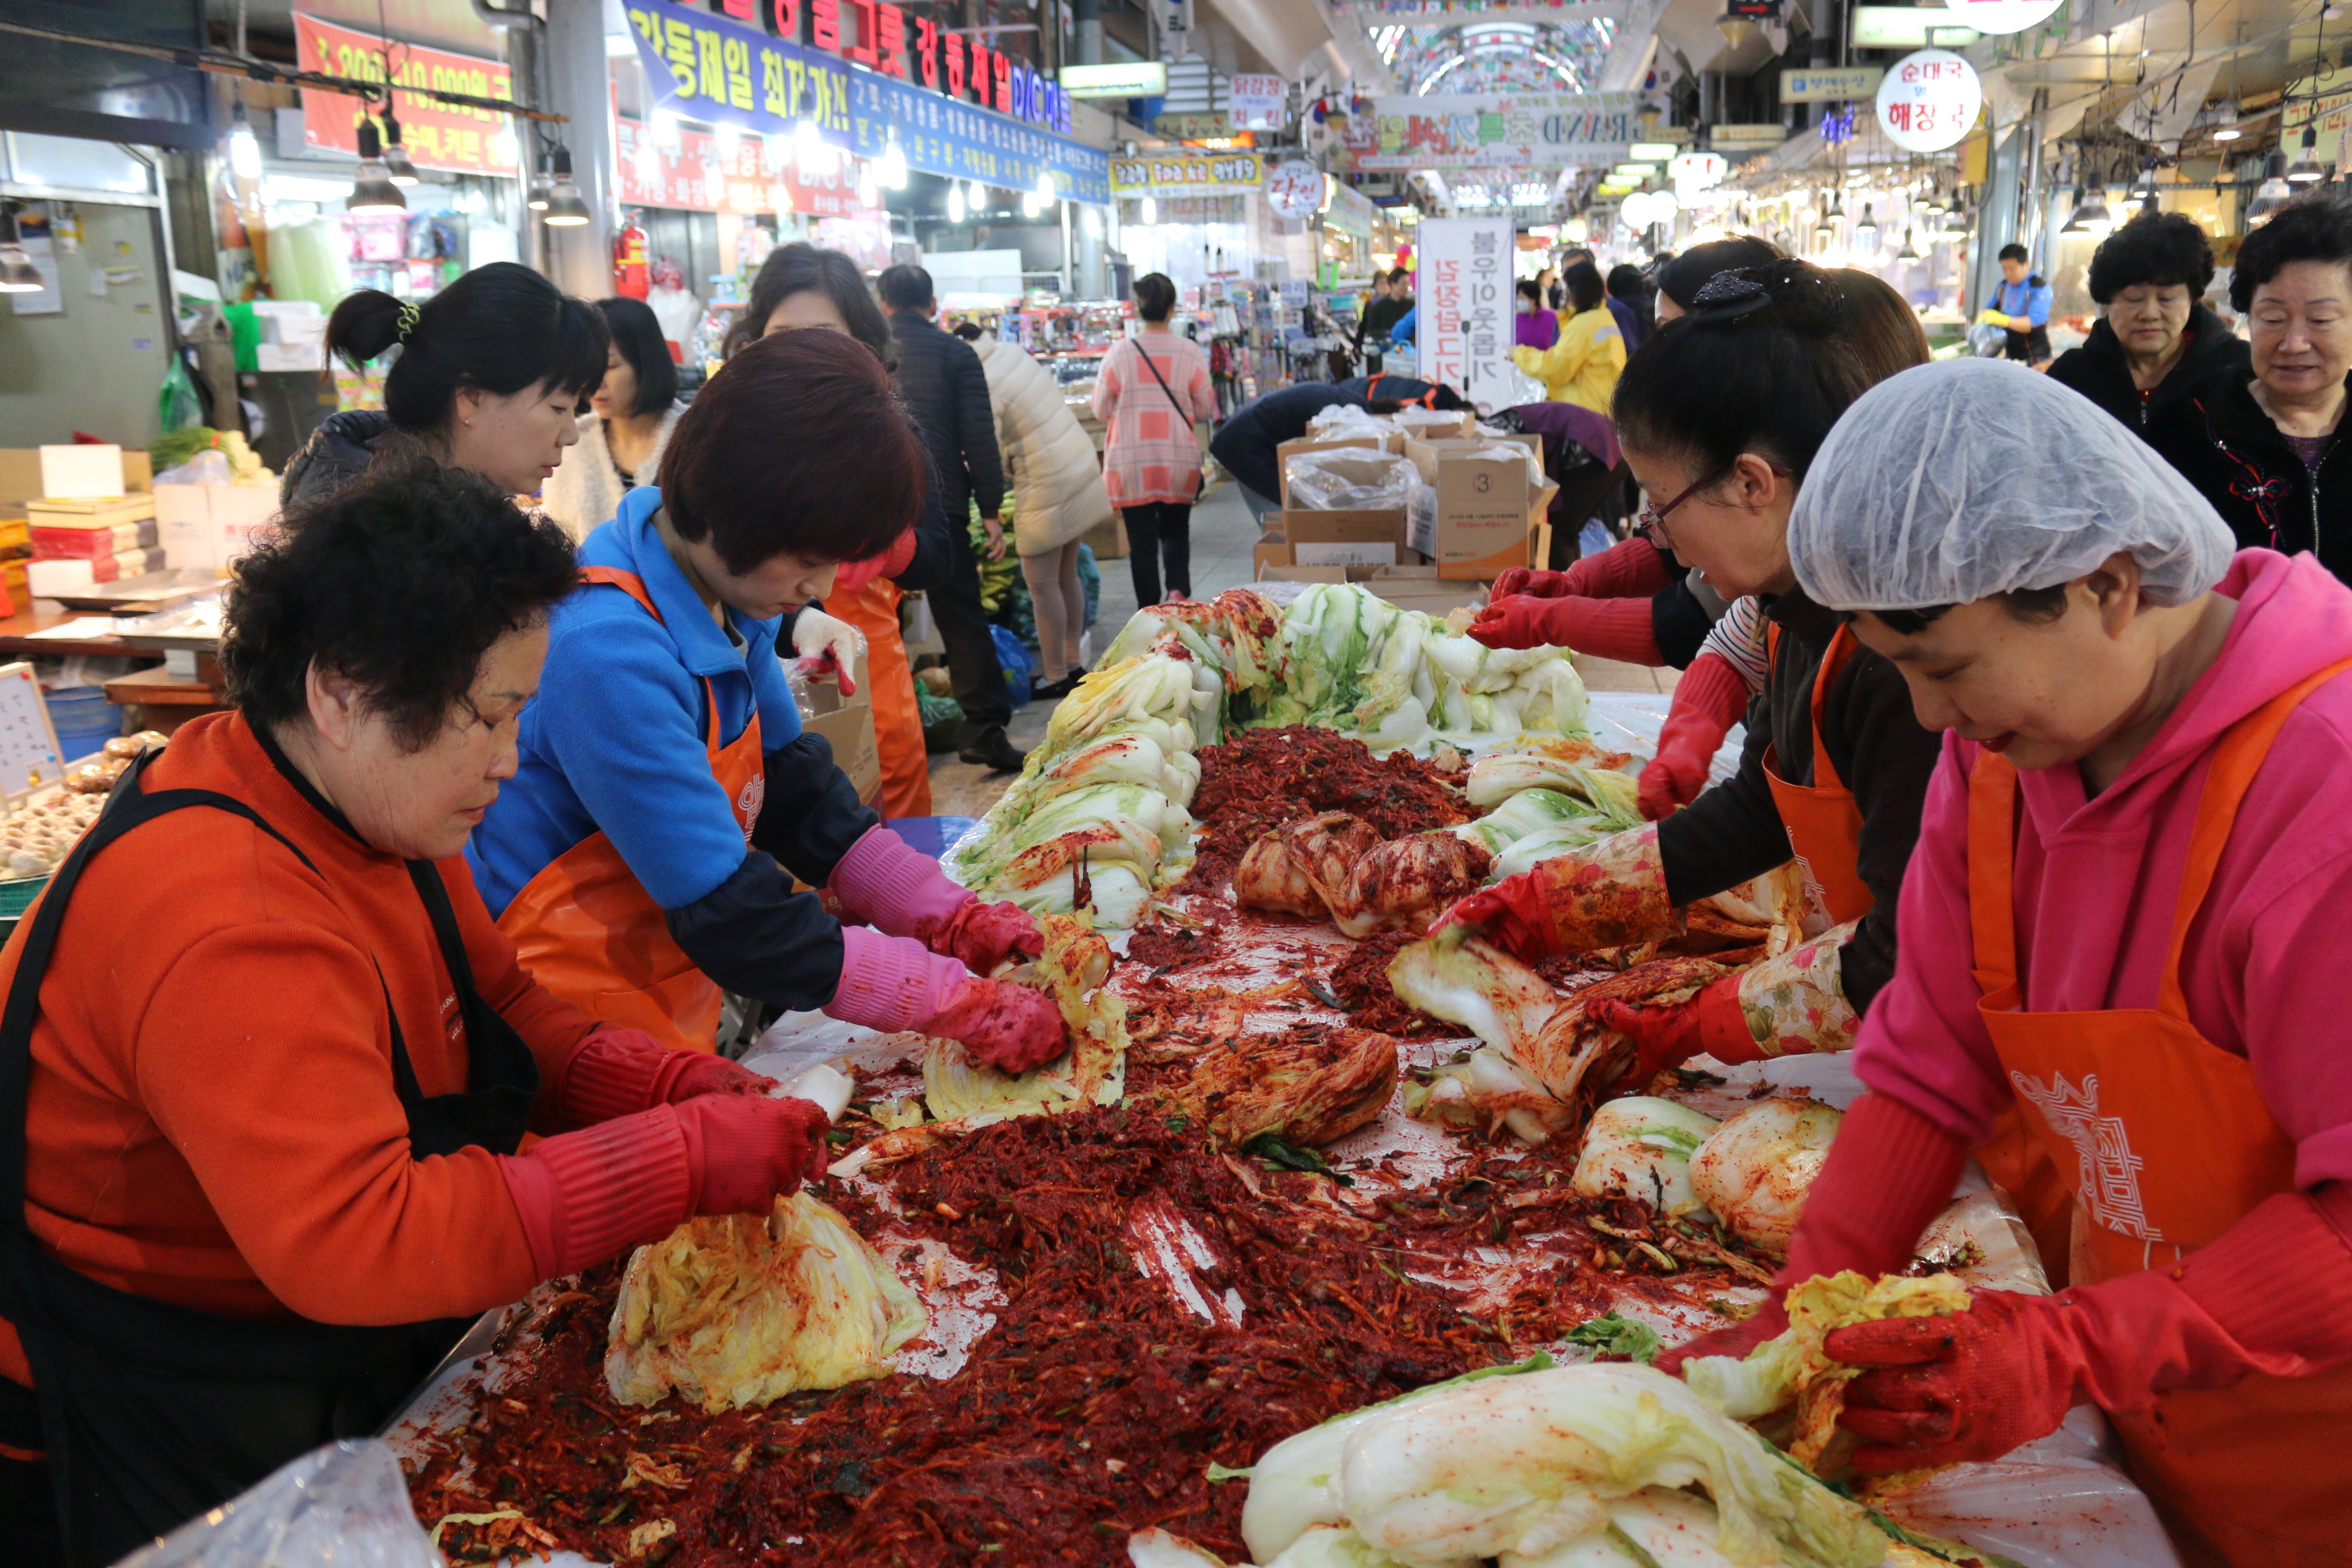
[{"x": 1967, "y": 478}]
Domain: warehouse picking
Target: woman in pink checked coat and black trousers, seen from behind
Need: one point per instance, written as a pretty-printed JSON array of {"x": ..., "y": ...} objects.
[{"x": 1151, "y": 391}]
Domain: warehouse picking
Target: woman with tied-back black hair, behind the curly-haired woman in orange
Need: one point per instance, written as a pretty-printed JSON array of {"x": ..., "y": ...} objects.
[{"x": 490, "y": 377}]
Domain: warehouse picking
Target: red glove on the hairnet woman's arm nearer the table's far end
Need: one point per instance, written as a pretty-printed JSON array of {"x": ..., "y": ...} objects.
[{"x": 1890, "y": 1174}]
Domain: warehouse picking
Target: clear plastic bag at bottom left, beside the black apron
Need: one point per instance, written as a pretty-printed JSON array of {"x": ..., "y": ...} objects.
[{"x": 342, "y": 1506}]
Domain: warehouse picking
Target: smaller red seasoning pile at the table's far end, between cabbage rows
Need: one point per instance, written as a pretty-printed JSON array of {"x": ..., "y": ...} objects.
[{"x": 1269, "y": 777}]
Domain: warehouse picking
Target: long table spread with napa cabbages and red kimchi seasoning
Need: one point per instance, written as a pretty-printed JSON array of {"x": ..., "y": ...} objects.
[{"x": 1299, "y": 1162}]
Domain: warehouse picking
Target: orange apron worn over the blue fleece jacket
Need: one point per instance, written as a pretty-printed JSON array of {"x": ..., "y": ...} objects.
[{"x": 592, "y": 934}]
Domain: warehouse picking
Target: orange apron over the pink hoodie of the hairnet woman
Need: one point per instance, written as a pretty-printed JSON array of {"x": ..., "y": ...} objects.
[{"x": 2167, "y": 1141}]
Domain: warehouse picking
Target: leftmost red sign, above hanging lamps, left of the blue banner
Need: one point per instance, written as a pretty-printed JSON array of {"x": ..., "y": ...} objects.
[{"x": 436, "y": 135}]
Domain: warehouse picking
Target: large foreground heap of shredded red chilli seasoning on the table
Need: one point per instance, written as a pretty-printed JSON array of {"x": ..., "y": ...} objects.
[{"x": 1095, "y": 1405}]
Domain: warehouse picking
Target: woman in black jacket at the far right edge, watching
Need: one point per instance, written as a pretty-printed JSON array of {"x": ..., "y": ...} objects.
[{"x": 2269, "y": 453}]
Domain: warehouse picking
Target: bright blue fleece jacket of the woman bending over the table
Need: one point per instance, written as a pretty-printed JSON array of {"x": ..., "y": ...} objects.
[{"x": 615, "y": 737}]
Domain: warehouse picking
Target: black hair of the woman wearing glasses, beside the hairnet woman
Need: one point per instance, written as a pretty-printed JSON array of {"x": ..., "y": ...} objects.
[{"x": 1746, "y": 375}]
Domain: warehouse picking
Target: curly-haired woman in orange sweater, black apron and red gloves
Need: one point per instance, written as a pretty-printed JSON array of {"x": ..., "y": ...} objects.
[{"x": 267, "y": 1061}]
